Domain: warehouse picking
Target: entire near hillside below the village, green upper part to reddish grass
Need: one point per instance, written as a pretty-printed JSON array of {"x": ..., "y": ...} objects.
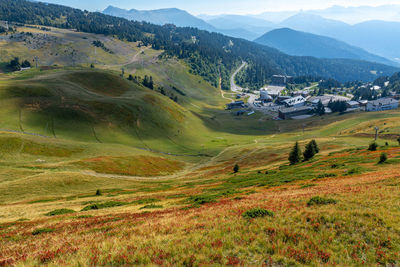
[{"x": 310, "y": 213}]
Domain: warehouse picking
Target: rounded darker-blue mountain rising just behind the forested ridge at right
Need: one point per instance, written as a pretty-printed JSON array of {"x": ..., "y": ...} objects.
[{"x": 298, "y": 43}]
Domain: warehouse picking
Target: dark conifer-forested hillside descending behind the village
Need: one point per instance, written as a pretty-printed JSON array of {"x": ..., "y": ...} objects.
[{"x": 210, "y": 55}]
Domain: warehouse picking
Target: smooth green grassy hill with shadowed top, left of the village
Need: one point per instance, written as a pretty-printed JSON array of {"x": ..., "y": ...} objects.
[{"x": 108, "y": 108}]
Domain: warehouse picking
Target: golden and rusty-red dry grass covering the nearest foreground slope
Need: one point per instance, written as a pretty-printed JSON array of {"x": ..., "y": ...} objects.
[{"x": 360, "y": 229}]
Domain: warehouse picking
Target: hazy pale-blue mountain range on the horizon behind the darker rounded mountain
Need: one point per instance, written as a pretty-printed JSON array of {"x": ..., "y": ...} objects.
[{"x": 381, "y": 38}]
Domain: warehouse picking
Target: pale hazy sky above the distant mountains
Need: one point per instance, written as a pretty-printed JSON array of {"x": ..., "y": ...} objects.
[{"x": 220, "y": 6}]
